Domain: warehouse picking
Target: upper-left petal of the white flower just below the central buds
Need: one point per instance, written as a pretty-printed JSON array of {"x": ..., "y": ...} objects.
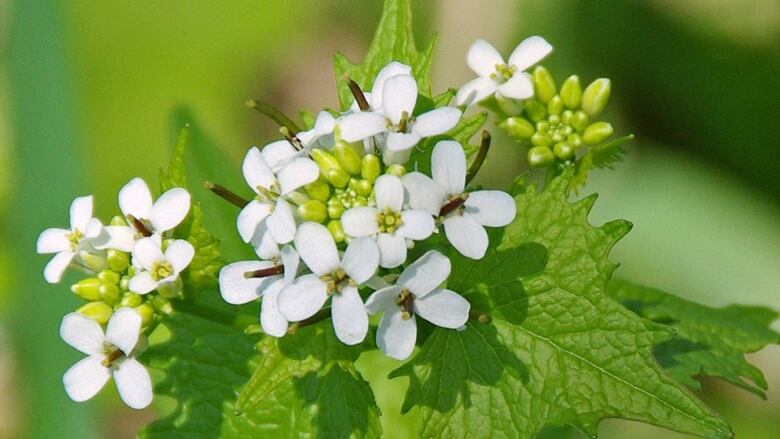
[{"x": 316, "y": 247}]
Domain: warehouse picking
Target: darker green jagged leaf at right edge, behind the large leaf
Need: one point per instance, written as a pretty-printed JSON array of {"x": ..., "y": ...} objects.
[{"x": 709, "y": 341}]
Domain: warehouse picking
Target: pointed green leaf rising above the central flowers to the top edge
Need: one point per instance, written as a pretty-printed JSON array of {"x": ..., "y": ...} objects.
[{"x": 393, "y": 41}]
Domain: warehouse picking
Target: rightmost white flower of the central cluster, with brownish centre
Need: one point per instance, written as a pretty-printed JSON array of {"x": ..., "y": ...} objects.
[{"x": 463, "y": 214}]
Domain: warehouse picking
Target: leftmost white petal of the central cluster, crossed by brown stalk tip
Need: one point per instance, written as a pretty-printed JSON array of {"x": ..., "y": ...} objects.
[{"x": 237, "y": 289}]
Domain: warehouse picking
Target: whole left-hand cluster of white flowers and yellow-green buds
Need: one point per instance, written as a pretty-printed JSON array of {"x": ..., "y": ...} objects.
[{"x": 134, "y": 269}]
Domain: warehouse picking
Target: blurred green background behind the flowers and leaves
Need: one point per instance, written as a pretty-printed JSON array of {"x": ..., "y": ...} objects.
[{"x": 87, "y": 87}]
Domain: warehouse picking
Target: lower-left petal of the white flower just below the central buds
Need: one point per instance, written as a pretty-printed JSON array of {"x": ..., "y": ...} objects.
[{"x": 303, "y": 298}]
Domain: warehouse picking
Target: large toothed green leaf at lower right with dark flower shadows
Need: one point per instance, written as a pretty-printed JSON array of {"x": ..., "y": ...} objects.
[{"x": 558, "y": 350}]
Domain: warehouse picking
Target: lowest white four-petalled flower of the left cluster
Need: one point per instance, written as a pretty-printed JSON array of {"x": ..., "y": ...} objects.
[{"x": 108, "y": 355}]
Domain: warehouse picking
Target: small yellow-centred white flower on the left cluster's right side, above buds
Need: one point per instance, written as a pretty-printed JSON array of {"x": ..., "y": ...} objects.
[{"x": 155, "y": 268}]
